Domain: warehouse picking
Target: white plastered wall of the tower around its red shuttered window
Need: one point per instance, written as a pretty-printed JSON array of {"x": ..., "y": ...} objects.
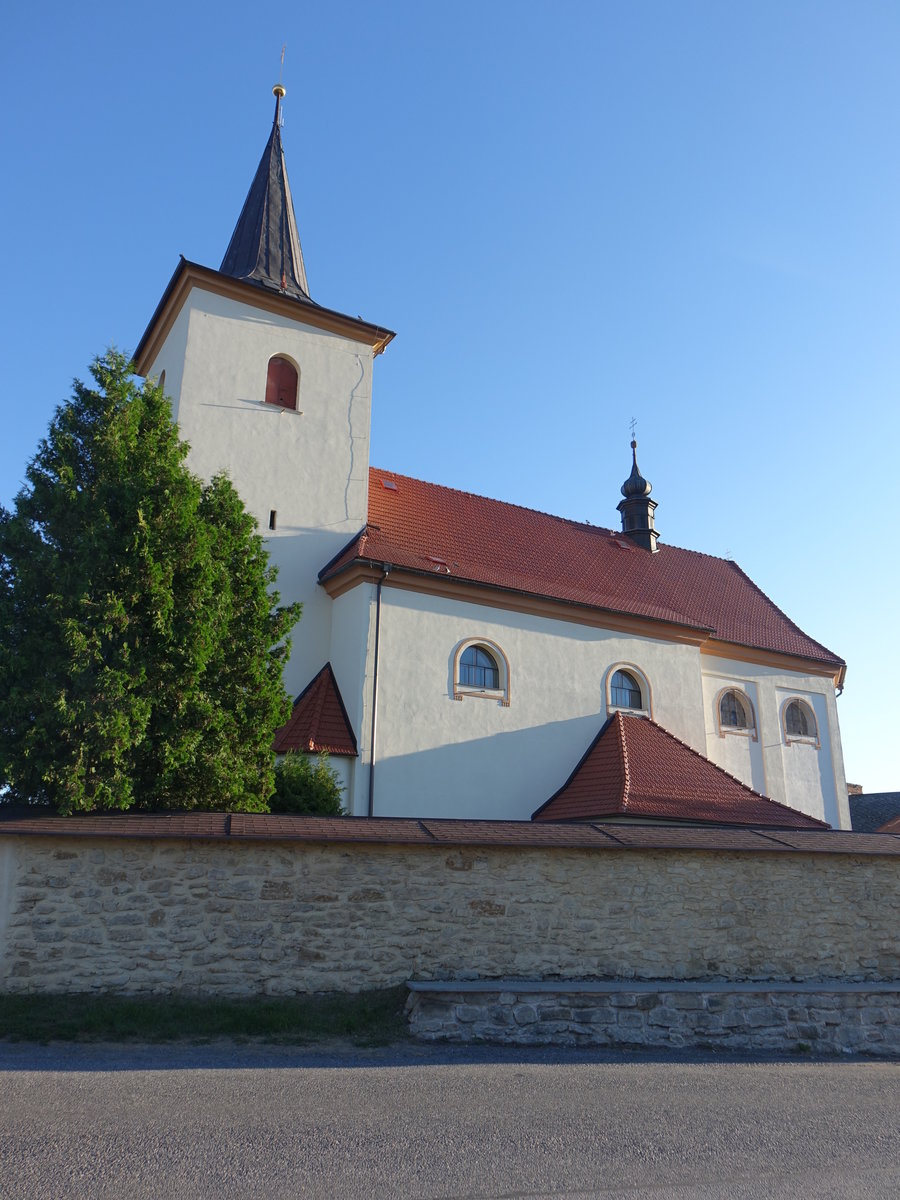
[{"x": 310, "y": 467}]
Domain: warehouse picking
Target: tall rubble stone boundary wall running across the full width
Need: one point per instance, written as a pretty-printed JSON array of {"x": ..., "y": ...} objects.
[{"x": 344, "y": 907}]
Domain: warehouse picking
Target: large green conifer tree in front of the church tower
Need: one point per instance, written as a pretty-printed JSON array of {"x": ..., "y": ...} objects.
[{"x": 141, "y": 645}]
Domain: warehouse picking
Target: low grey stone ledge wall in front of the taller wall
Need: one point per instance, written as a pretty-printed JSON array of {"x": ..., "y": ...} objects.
[{"x": 781, "y": 1018}]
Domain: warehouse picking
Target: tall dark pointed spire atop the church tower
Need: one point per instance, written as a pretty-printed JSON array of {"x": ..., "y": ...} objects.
[{"x": 266, "y": 247}]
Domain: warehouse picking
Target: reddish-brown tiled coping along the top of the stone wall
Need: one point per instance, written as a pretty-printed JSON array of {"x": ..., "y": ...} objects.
[{"x": 427, "y": 832}]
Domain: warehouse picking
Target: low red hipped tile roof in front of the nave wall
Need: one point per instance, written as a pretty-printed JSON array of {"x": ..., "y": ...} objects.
[{"x": 635, "y": 769}]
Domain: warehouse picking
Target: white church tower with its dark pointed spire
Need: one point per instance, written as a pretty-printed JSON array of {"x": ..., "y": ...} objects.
[{"x": 274, "y": 391}]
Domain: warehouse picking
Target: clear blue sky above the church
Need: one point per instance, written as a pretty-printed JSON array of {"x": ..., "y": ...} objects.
[{"x": 572, "y": 214}]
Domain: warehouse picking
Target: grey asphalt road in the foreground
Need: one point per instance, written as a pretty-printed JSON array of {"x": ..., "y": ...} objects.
[{"x": 226, "y": 1123}]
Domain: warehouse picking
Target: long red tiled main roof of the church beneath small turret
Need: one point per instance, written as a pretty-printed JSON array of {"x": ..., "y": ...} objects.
[{"x": 440, "y": 531}]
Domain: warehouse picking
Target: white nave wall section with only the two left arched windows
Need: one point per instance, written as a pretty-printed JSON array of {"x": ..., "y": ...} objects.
[{"x": 475, "y": 758}]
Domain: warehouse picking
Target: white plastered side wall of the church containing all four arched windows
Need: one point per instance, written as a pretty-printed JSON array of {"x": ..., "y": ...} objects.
[{"x": 477, "y": 759}]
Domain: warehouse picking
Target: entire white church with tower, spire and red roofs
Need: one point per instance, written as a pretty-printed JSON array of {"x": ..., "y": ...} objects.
[{"x": 460, "y": 657}]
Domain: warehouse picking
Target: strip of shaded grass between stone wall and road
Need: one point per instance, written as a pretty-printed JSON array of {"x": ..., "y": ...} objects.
[{"x": 367, "y": 1019}]
